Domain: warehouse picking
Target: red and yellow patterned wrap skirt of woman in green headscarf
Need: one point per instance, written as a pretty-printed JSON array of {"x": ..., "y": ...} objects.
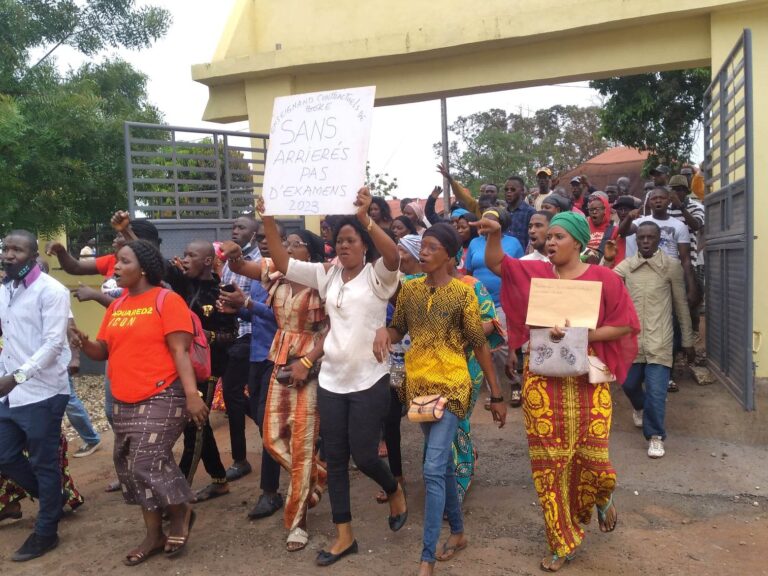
[{"x": 568, "y": 423}]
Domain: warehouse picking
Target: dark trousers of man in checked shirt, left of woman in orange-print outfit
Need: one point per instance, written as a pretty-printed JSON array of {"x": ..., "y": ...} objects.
[{"x": 233, "y": 384}]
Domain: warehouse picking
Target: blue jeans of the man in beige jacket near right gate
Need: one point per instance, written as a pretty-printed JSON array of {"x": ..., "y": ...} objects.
[{"x": 653, "y": 400}]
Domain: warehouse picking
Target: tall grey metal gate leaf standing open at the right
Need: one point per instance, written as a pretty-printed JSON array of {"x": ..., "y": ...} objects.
[{"x": 729, "y": 222}]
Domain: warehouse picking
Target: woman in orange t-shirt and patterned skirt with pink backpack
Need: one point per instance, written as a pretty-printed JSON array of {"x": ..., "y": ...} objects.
[{"x": 146, "y": 337}]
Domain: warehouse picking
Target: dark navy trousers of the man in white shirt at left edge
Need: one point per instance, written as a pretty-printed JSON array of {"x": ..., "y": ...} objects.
[{"x": 36, "y": 428}]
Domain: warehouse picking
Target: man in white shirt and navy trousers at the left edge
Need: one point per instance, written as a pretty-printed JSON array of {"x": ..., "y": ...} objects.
[{"x": 34, "y": 387}]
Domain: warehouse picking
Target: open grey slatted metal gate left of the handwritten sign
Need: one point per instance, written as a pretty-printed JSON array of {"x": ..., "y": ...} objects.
[{"x": 193, "y": 182}]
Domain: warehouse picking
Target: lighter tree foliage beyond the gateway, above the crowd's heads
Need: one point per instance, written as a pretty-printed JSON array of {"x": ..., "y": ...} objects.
[{"x": 492, "y": 145}]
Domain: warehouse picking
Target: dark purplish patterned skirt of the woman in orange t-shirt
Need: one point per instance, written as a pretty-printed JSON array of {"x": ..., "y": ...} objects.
[{"x": 145, "y": 433}]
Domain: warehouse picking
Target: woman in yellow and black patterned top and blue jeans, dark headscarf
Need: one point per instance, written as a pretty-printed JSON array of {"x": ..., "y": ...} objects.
[{"x": 442, "y": 316}]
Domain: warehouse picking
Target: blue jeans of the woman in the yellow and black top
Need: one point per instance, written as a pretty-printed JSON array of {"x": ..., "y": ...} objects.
[{"x": 440, "y": 483}]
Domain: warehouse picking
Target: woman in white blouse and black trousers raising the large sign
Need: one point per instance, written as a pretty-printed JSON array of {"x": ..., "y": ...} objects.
[{"x": 353, "y": 395}]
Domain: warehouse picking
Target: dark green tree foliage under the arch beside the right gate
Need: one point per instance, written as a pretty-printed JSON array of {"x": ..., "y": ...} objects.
[{"x": 656, "y": 112}]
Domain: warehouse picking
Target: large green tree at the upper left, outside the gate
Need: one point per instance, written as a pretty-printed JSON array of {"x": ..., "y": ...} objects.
[{"x": 61, "y": 134}]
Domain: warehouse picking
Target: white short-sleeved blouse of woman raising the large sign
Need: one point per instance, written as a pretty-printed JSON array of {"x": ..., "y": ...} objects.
[{"x": 356, "y": 310}]
